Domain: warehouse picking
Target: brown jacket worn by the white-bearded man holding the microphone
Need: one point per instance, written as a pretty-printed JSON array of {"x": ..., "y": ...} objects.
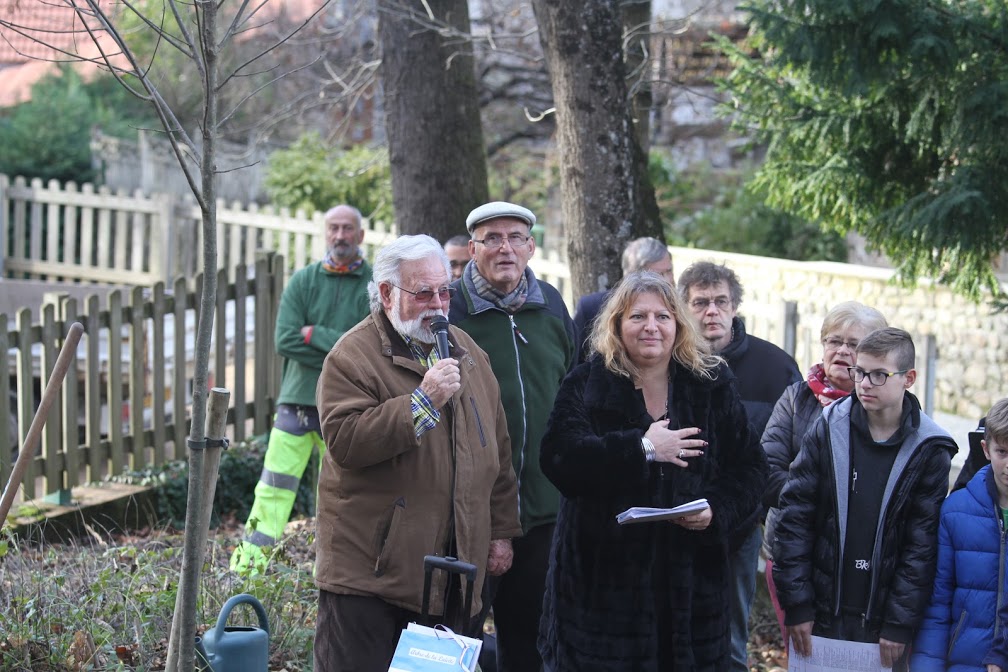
[{"x": 387, "y": 498}]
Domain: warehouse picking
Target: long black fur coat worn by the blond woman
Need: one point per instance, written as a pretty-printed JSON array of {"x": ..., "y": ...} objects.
[{"x": 645, "y": 597}]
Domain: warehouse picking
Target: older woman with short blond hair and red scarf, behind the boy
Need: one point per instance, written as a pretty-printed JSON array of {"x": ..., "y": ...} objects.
[{"x": 803, "y": 402}]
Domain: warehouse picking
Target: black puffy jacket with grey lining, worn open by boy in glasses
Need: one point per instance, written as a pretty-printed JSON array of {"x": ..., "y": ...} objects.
[{"x": 813, "y": 524}]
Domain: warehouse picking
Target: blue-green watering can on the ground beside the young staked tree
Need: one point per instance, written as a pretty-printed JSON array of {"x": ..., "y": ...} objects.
[{"x": 235, "y": 648}]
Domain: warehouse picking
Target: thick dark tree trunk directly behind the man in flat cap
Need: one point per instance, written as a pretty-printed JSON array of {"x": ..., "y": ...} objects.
[{"x": 433, "y": 117}]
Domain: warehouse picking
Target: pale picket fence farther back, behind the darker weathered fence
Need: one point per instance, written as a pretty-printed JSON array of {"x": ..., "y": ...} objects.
[{"x": 83, "y": 234}]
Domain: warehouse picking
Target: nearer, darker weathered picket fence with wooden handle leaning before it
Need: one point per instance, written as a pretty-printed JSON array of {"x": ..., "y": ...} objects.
[{"x": 127, "y": 404}]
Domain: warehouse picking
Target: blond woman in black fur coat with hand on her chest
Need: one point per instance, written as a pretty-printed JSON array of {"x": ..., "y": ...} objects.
[{"x": 654, "y": 421}]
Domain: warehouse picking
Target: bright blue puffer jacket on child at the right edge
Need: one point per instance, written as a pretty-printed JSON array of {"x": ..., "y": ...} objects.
[{"x": 959, "y": 626}]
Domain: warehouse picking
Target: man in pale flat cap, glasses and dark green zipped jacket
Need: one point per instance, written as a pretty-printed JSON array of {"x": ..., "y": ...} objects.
[{"x": 524, "y": 326}]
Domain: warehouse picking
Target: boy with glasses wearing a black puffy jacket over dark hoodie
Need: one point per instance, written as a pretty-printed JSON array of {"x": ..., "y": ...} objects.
[{"x": 856, "y": 546}]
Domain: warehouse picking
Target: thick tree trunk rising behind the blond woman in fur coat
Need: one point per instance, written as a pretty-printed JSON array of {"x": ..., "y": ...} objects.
[{"x": 607, "y": 199}]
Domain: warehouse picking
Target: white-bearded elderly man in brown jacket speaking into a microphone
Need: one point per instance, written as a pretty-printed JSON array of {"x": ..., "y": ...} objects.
[{"x": 418, "y": 463}]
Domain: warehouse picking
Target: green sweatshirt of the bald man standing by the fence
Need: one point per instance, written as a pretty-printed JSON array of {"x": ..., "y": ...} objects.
[{"x": 333, "y": 305}]
